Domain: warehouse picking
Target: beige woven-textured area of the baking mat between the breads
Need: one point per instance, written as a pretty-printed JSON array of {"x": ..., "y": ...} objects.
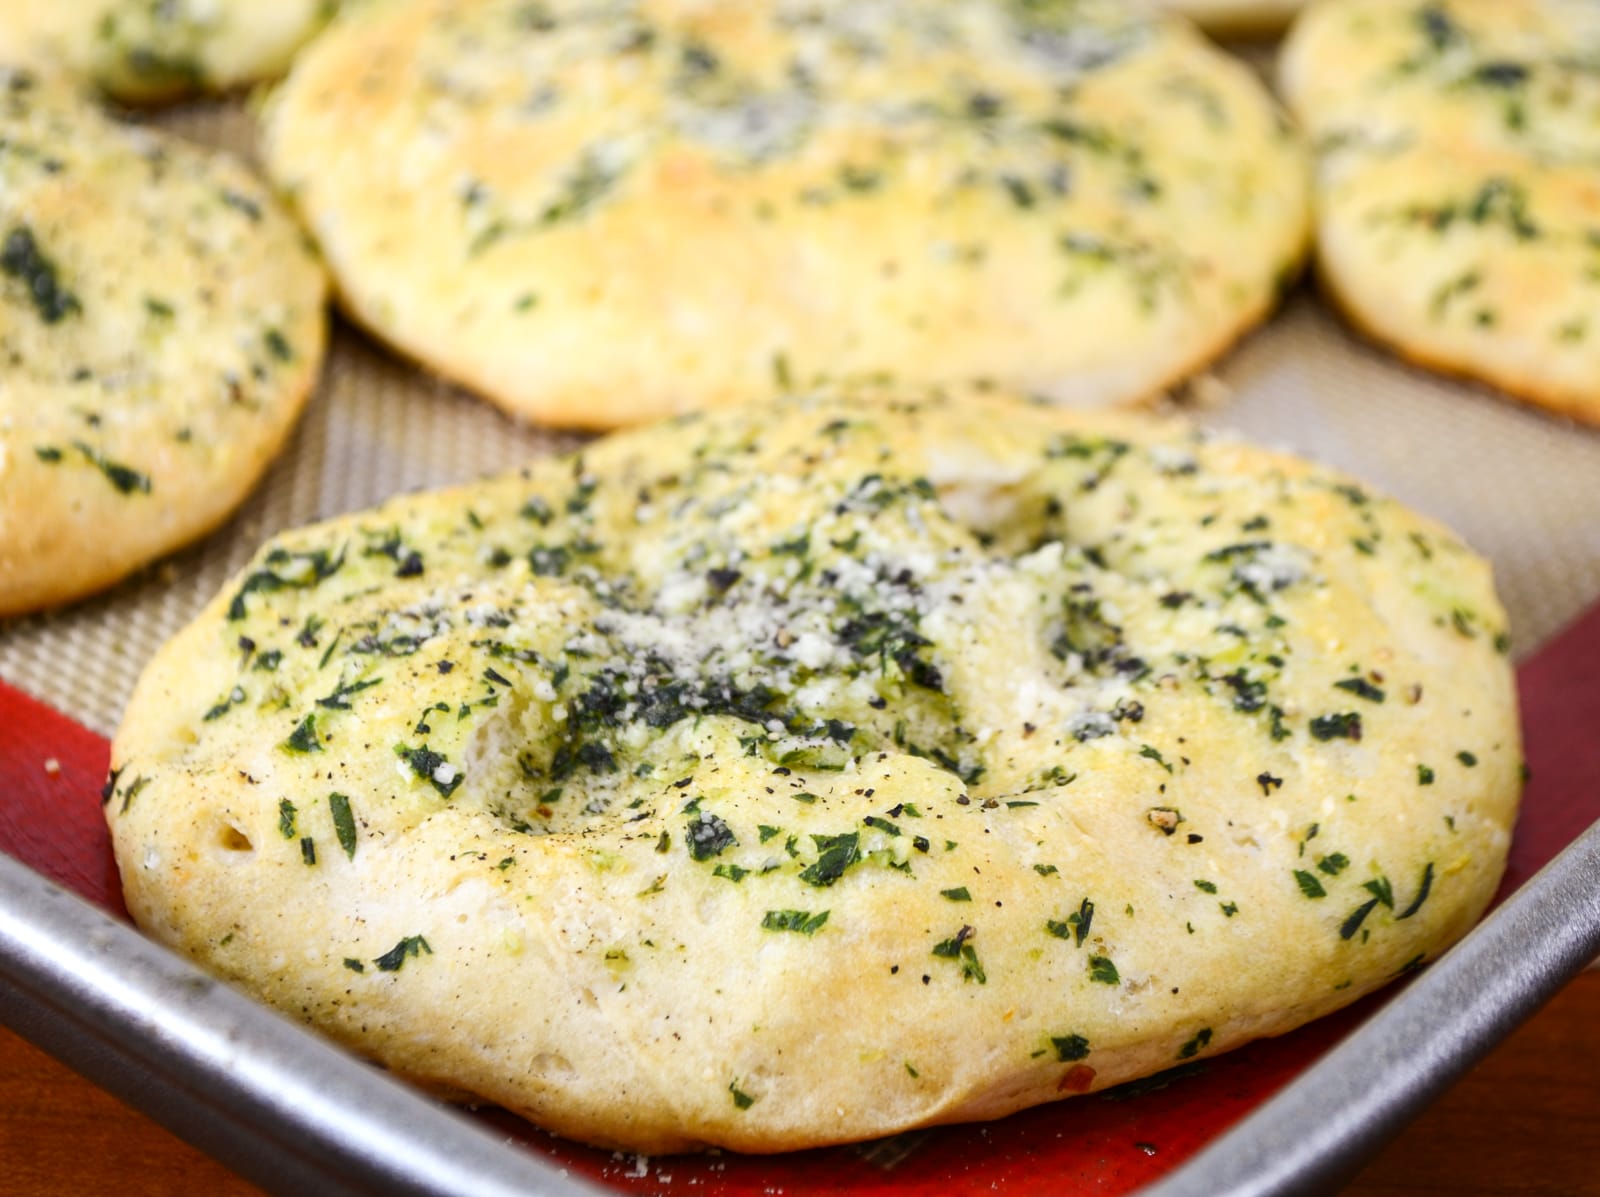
[{"x": 1524, "y": 489}]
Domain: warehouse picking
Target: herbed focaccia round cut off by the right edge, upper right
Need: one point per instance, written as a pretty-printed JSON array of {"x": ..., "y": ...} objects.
[{"x": 1457, "y": 185}]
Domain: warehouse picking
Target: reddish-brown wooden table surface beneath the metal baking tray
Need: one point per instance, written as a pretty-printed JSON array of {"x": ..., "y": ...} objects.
[{"x": 1527, "y": 1121}]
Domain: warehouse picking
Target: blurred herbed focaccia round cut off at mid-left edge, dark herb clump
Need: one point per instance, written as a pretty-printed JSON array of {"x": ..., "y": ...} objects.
[{"x": 162, "y": 322}]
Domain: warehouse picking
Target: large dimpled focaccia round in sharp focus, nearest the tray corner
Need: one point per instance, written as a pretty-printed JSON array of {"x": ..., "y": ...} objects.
[{"x": 1054, "y": 748}]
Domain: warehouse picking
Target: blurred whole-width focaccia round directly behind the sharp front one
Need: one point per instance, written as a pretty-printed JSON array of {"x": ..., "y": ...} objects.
[{"x": 596, "y": 214}]
